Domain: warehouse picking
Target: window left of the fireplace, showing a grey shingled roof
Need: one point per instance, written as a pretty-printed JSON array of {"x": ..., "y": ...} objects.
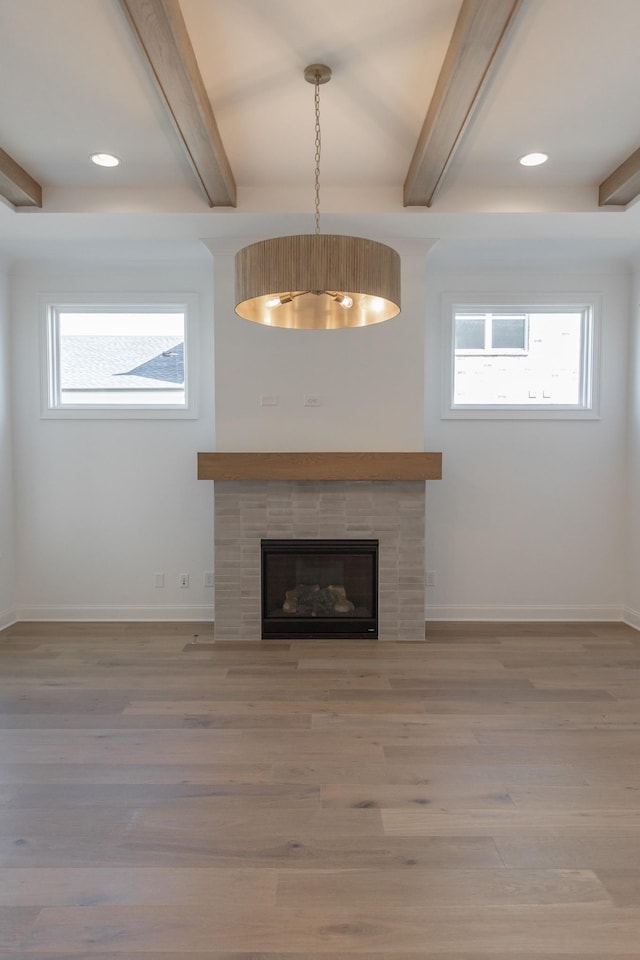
[{"x": 118, "y": 359}]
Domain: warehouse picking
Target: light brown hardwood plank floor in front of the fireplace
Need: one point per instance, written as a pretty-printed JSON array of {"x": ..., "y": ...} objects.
[{"x": 476, "y": 796}]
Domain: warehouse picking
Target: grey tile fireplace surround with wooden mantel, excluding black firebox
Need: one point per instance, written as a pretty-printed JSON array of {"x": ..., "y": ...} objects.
[{"x": 390, "y": 509}]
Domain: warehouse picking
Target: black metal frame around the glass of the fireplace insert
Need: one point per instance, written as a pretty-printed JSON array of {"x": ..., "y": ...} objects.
[{"x": 297, "y": 627}]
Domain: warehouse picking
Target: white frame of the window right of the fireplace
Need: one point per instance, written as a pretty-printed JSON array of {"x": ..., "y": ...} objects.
[{"x": 589, "y": 304}]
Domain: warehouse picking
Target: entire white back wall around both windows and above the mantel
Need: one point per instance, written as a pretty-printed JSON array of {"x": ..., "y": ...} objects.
[{"x": 528, "y": 521}]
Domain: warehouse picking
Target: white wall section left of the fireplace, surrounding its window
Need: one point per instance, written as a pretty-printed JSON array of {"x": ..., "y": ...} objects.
[{"x": 104, "y": 504}]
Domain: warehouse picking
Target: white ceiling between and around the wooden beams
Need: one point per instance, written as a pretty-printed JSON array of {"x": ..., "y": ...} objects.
[{"x": 73, "y": 83}]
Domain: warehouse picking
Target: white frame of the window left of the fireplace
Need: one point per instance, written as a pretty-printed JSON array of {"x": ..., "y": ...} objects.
[{"x": 52, "y": 305}]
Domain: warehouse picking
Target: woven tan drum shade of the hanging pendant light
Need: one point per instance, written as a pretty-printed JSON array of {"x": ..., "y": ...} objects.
[{"x": 312, "y": 273}]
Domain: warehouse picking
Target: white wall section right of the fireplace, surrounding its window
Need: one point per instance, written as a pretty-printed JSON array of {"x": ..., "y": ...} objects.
[{"x": 529, "y": 518}]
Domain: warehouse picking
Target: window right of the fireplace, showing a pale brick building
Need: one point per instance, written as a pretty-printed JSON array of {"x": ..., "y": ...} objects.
[{"x": 532, "y": 360}]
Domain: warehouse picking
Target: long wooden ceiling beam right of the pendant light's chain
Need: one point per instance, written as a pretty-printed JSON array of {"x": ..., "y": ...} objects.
[{"x": 479, "y": 33}]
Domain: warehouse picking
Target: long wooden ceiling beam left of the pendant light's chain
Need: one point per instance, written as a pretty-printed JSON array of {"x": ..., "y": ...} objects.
[{"x": 162, "y": 34}]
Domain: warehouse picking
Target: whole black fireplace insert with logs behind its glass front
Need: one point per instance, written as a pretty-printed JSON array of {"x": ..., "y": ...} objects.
[{"x": 319, "y": 588}]
